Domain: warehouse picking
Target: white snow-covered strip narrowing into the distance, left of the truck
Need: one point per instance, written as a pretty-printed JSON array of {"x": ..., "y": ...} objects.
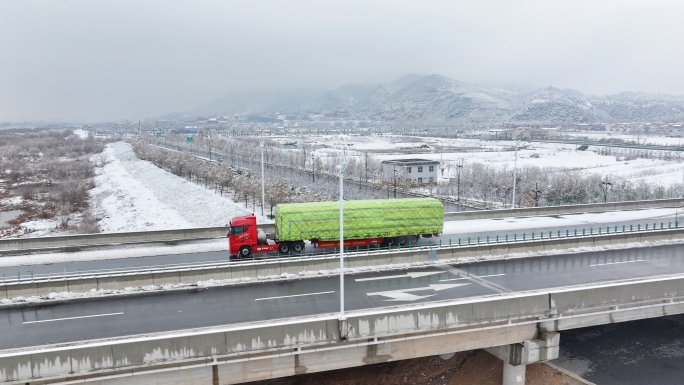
[{"x": 134, "y": 195}]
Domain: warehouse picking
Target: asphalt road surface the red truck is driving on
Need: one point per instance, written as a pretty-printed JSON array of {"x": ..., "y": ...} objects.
[{"x": 209, "y": 257}]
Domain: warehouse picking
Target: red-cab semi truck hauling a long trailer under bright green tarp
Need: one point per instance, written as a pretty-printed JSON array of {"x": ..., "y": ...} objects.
[{"x": 366, "y": 222}]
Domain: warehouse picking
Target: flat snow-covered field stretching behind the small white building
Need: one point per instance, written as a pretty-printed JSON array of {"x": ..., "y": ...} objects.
[{"x": 498, "y": 153}]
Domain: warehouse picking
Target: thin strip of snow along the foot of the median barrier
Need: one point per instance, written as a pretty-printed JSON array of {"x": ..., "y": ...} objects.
[{"x": 65, "y": 296}]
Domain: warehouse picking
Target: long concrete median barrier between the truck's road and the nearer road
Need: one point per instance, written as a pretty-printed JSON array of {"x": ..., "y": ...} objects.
[{"x": 296, "y": 265}]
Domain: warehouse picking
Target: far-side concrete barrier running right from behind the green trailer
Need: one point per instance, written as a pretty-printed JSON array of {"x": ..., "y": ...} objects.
[{"x": 568, "y": 209}]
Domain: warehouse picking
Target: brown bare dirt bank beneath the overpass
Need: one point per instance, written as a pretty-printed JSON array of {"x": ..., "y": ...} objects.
[{"x": 465, "y": 368}]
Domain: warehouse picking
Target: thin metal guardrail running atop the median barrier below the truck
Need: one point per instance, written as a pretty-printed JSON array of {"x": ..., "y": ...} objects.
[{"x": 303, "y": 257}]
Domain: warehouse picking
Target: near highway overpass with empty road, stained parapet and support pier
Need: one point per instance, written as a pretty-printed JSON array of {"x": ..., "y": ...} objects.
[{"x": 516, "y": 308}]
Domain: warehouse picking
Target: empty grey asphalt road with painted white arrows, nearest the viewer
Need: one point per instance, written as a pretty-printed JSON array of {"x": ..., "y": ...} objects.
[{"x": 112, "y": 317}]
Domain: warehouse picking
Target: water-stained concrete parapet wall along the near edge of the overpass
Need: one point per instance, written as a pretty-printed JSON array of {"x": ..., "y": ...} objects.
[{"x": 260, "y": 351}]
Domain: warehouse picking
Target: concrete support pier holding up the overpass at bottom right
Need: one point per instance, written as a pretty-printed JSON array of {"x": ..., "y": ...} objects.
[{"x": 517, "y": 356}]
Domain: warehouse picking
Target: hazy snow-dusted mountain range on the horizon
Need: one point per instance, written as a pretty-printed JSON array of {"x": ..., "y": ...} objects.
[{"x": 435, "y": 97}]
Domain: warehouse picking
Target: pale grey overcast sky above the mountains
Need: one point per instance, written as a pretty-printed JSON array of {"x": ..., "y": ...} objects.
[{"x": 112, "y": 59}]
